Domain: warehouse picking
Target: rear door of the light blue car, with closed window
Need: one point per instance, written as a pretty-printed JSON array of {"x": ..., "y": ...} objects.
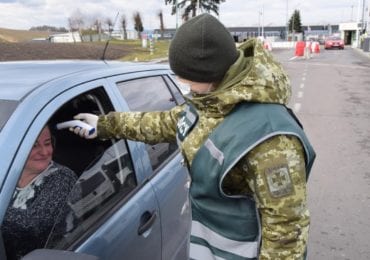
[{"x": 155, "y": 91}]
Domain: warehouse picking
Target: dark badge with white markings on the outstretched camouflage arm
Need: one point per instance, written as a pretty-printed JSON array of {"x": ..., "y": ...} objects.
[{"x": 187, "y": 121}]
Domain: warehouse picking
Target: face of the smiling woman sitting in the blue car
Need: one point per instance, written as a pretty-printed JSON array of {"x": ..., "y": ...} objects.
[{"x": 41, "y": 153}]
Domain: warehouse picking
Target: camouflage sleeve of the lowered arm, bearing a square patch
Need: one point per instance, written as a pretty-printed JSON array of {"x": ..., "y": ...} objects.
[{"x": 277, "y": 178}]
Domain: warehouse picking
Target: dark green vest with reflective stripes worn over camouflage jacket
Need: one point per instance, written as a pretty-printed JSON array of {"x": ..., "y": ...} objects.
[{"x": 223, "y": 226}]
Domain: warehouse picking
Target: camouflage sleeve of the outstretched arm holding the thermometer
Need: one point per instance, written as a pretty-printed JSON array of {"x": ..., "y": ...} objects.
[{"x": 148, "y": 127}]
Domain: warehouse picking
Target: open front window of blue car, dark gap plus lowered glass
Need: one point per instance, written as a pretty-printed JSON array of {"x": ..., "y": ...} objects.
[{"x": 105, "y": 172}]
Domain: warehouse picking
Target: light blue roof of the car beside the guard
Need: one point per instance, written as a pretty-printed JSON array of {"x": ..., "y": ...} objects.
[{"x": 18, "y": 78}]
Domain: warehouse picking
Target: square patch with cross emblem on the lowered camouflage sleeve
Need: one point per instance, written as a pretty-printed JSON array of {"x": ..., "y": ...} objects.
[{"x": 278, "y": 181}]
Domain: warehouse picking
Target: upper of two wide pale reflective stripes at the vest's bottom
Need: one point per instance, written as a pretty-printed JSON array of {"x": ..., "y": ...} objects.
[{"x": 241, "y": 248}]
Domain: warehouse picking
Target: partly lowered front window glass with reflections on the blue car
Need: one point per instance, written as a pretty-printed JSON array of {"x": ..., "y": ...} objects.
[{"x": 100, "y": 187}]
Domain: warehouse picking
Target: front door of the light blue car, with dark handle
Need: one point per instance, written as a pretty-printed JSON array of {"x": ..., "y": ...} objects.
[{"x": 112, "y": 212}]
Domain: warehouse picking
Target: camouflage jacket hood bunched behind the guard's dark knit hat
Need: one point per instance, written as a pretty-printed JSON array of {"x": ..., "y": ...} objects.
[{"x": 255, "y": 77}]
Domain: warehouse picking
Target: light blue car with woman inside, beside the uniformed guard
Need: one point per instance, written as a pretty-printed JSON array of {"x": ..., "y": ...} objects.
[{"x": 135, "y": 203}]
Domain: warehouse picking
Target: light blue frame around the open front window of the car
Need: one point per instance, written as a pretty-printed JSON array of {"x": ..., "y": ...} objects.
[{"x": 45, "y": 112}]
